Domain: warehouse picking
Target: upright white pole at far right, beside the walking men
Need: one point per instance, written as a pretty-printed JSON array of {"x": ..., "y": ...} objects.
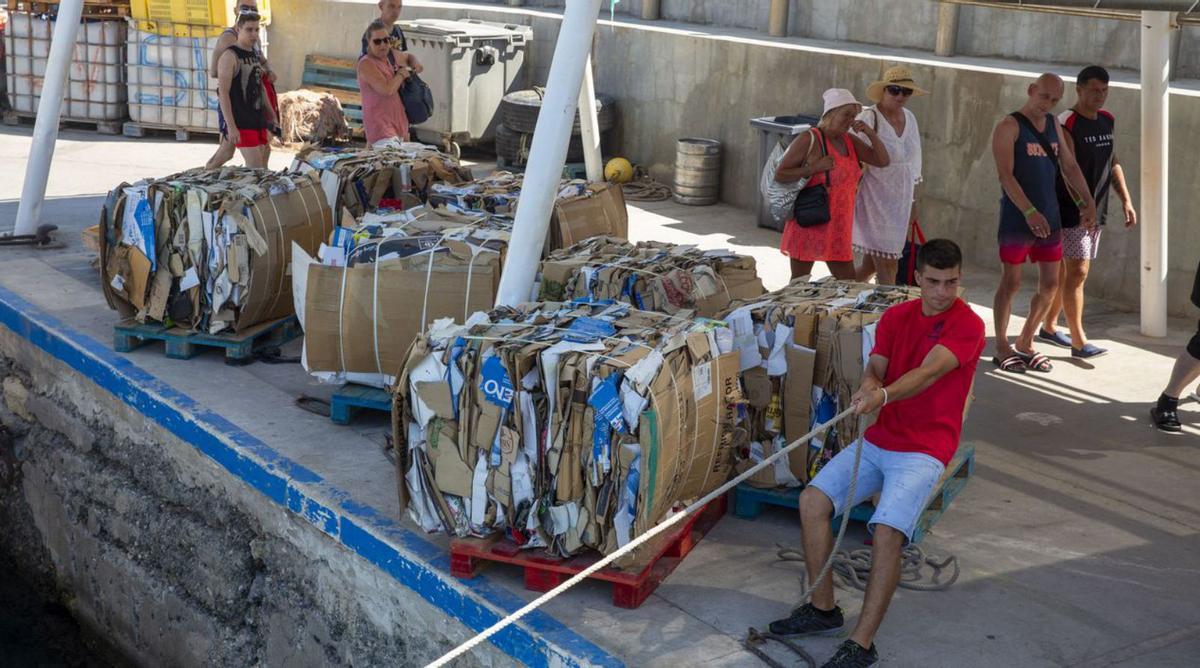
[{"x": 1156, "y": 67}]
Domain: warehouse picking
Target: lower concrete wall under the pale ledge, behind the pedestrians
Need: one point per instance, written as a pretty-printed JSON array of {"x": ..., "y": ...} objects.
[{"x": 676, "y": 83}]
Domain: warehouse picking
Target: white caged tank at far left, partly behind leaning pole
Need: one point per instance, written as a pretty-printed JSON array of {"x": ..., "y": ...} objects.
[{"x": 97, "y": 91}]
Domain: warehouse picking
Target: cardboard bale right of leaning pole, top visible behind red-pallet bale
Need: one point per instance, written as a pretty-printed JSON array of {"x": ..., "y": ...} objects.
[{"x": 651, "y": 275}]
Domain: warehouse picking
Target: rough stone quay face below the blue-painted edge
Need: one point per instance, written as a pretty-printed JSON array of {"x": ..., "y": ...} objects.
[{"x": 171, "y": 559}]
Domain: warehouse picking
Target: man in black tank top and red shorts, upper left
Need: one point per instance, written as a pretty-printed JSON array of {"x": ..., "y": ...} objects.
[{"x": 244, "y": 104}]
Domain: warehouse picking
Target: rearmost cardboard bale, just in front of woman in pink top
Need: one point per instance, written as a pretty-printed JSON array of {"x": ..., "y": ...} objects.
[{"x": 359, "y": 179}]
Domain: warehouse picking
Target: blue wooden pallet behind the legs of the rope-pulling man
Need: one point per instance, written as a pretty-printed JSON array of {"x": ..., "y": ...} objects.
[{"x": 749, "y": 502}]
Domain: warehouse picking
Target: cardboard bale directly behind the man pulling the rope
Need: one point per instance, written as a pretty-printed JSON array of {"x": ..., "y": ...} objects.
[{"x": 802, "y": 353}]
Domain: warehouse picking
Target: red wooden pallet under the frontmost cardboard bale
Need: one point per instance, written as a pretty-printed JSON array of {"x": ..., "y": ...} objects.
[{"x": 633, "y": 585}]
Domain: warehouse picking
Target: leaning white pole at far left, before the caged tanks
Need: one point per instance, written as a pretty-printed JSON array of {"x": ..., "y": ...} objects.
[{"x": 46, "y": 127}]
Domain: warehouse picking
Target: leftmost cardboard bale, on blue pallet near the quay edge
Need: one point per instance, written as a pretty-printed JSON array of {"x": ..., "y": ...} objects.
[{"x": 209, "y": 250}]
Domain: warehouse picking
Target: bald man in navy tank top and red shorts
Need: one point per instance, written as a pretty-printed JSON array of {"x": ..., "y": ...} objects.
[{"x": 1029, "y": 157}]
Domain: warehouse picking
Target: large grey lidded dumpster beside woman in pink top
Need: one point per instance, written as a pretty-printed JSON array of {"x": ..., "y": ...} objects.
[{"x": 470, "y": 65}]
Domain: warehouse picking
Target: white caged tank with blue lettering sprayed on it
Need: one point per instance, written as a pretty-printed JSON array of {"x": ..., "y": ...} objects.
[{"x": 170, "y": 83}]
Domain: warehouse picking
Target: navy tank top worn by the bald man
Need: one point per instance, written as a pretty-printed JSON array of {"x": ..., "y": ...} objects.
[{"x": 1035, "y": 172}]
